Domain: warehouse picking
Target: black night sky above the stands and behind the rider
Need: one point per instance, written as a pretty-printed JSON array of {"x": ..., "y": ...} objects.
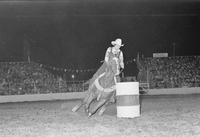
[{"x": 75, "y": 34}]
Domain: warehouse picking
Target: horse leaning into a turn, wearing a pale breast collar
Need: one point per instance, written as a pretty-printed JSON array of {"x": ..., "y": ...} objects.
[{"x": 101, "y": 89}]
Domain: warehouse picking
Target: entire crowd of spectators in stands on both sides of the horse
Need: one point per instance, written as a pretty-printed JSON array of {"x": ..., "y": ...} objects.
[{"x": 18, "y": 78}]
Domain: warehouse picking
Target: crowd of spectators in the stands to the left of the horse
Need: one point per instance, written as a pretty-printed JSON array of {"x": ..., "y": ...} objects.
[{"x": 17, "y": 78}]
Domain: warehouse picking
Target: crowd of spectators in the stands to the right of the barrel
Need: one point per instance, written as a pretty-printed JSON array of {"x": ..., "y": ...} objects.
[{"x": 171, "y": 72}]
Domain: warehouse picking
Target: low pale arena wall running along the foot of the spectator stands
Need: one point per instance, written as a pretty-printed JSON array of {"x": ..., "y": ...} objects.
[{"x": 80, "y": 95}]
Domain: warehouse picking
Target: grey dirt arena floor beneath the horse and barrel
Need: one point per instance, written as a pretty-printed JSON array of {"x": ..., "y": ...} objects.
[{"x": 161, "y": 116}]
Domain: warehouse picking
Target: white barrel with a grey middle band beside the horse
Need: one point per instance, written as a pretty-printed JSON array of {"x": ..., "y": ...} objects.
[{"x": 128, "y": 105}]
